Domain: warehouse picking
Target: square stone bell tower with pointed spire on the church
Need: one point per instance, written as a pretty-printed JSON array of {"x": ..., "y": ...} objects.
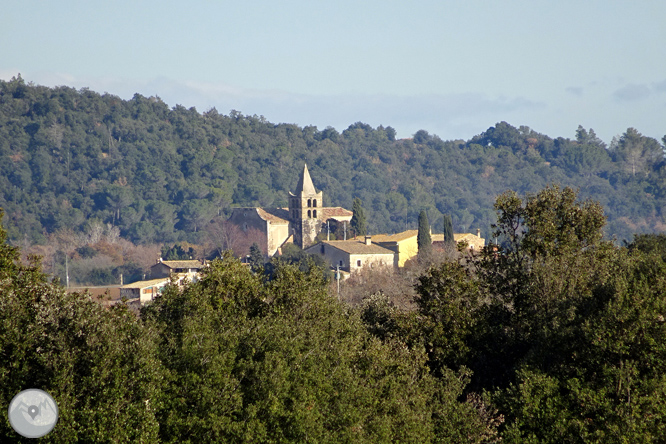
[{"x": 305, "y": 211}]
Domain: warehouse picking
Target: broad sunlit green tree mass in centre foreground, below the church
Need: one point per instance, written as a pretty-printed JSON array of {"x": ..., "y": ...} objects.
[{"x": 250, "y": 359}]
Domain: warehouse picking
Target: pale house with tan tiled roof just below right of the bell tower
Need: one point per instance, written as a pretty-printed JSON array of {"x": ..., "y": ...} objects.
[{"x": 354, "y": 255}]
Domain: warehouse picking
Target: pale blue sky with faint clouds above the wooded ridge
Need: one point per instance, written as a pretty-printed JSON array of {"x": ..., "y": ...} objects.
[{"x": 452, "y": 68}]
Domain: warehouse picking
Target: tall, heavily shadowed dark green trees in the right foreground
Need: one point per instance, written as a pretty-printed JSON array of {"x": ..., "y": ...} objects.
[{"x": 565, "y": 331}]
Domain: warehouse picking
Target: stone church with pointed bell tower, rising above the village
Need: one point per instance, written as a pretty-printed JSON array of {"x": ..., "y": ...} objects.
[{"x": 305, "y": 218}]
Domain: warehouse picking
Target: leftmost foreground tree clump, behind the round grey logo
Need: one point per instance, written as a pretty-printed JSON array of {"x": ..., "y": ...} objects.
[{"x": 91, "y": 359}]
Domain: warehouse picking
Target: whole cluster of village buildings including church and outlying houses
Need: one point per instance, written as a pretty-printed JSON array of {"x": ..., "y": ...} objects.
[{"x": 305, "y": 224}]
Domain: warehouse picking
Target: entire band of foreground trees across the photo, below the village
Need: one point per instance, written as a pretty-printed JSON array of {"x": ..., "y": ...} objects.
[{"x": 553, "y": 335}]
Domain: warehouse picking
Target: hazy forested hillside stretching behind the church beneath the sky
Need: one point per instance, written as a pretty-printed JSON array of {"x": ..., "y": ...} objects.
[{"x": 162, "y": 174}]
